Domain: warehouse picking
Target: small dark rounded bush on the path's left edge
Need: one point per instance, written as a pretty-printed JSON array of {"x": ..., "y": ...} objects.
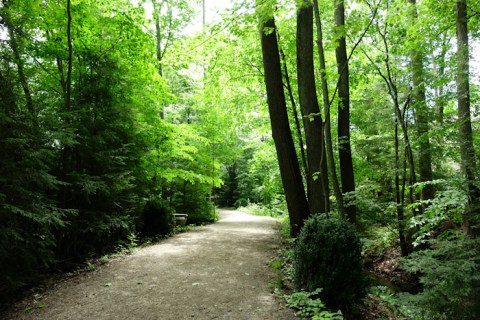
[{"x": 158, "y": 218}]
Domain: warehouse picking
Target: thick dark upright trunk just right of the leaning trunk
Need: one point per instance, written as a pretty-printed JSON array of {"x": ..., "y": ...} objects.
[{"x": 312, "y": 118}]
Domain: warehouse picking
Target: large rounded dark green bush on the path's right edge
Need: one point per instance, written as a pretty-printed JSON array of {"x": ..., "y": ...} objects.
[{"x": 328, "y": 256}]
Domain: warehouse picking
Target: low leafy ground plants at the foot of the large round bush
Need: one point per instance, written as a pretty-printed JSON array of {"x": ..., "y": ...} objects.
[{"x": 308, "y": 306}]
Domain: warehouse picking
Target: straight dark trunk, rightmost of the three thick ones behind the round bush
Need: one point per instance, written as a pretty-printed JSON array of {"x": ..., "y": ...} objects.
[{"x": 344, "y": 147}]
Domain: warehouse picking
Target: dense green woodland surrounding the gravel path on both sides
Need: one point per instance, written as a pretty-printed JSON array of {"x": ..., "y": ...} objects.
[{"x": 361, "y": 112}]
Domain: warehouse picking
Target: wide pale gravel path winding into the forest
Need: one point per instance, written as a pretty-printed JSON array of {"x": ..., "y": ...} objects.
[{"x": 215, "y": 272}]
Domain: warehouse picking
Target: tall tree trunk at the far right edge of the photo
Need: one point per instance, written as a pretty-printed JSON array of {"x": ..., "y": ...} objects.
[{"x": 467, "y": 151}]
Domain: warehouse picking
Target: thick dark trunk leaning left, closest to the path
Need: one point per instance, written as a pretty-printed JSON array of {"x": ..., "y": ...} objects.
[{"x": 287, "y": 158}]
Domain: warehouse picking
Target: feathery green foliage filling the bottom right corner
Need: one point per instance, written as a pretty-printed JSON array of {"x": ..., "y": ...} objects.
[{"x": 450, "y": 275}]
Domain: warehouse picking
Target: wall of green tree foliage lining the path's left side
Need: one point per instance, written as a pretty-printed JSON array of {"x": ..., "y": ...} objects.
[{"x": 72, "y": 180}]
